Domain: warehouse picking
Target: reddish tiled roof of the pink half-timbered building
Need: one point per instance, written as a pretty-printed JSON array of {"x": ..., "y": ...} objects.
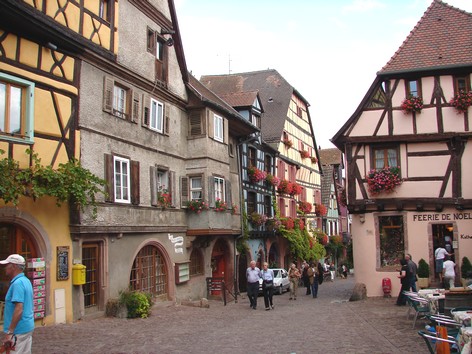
[{"x": 441, "y": 38}]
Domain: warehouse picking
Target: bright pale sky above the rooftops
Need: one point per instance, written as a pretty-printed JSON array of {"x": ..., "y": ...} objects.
[{"x": 328, "y": 50}]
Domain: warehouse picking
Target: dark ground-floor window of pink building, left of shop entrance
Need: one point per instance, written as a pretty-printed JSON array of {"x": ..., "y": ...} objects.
[{"x": 391, "y": 239}]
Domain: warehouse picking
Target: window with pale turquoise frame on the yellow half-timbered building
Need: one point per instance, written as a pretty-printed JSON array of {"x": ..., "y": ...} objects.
[{"x": 16, "y": 108}]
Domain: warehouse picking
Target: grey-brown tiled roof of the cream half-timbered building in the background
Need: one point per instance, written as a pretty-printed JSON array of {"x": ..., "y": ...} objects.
[{"x": 274, "y": 90}]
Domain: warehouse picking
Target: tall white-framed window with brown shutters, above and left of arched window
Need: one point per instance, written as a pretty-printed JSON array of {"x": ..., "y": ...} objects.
[{"x": 122, "y": 176}]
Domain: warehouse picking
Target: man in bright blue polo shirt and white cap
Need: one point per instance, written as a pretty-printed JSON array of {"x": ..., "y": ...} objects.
[{"x": 18, "y": 319}]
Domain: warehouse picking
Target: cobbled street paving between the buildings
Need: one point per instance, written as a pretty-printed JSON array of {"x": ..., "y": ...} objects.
[{"x": 328, "y": 324}]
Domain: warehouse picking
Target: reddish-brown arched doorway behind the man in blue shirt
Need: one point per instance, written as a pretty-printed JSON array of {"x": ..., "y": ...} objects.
[{"x": 15, "y": 239}]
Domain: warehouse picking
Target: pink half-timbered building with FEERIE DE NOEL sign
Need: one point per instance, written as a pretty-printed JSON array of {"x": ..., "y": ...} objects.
[{"x": 408, "y": 151}]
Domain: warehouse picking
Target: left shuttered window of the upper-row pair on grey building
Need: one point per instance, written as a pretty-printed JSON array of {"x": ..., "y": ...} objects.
[{"x": 120, "y": 100}]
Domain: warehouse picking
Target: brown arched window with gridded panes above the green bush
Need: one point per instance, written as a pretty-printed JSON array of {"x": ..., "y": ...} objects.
[{"x": 149, "y": 273}]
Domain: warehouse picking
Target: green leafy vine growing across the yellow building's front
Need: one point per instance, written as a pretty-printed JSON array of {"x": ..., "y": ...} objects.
[{"x": 69, "y": 183}]
